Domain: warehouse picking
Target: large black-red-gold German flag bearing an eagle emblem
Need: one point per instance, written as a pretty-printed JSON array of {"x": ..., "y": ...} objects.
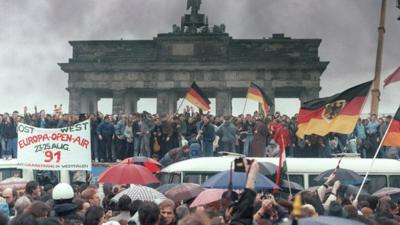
[{"x": 338, "y": 113}]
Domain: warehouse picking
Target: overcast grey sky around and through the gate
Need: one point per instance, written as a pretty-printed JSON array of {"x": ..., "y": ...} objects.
[{"x": 34, "y": 37}]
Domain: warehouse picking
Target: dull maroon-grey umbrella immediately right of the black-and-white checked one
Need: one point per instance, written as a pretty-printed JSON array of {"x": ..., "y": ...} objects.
[{"x": 184, "y": 192}]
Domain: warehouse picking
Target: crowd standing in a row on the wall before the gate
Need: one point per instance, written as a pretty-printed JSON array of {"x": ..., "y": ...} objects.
[{"x": 115, "y": 137}]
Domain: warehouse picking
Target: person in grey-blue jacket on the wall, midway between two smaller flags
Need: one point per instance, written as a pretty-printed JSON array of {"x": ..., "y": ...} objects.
[{"x": 227, "y": 134}]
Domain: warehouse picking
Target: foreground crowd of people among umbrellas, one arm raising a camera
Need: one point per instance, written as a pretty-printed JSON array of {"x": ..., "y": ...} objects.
[{"x": 82, "y": 204}]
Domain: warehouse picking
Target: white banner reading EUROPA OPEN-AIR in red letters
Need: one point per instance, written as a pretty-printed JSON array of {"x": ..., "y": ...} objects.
[{"x": 54, "y": 149}]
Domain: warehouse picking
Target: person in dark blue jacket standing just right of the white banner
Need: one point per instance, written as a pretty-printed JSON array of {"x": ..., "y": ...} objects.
[{"x": 105, "y": 131}]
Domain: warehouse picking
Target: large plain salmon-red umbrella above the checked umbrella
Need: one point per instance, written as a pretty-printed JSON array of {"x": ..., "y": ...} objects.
[{"x": 127, "y": 173}]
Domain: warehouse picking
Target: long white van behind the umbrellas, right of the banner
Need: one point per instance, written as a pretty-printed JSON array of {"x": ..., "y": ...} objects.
[{"x": 384, "y": 173}]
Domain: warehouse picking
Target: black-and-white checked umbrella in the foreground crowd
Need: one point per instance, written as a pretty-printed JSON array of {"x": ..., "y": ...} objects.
[{"x": 138, "y": 192}]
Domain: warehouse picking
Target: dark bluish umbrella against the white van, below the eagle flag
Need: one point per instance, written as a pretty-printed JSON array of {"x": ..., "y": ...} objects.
[{"x": 345, "y": 176}]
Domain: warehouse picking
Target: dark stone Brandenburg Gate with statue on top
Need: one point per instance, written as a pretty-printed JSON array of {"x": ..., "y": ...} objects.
[{"x": 164, "y": 67}]
